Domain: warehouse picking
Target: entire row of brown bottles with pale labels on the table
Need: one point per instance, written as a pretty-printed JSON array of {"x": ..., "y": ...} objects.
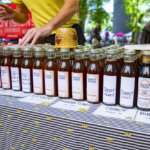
[{"x": 99, "y": 75}]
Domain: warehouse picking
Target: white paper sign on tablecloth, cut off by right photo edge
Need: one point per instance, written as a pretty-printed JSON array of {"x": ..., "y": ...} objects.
[{"x": 143, "y": 116}]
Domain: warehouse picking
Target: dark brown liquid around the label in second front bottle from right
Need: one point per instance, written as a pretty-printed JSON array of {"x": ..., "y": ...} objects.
[{"x": 129, "y": 71}]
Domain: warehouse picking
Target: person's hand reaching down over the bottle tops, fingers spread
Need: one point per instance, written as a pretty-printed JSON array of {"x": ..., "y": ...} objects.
[{"x": 35, "y": 34}]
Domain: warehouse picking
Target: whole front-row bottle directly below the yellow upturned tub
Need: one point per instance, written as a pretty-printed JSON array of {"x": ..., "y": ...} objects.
[{"x": 64, "y": 74}]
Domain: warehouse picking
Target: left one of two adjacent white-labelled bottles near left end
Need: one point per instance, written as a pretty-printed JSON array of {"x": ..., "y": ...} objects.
[{"x": 16, "y": 69}]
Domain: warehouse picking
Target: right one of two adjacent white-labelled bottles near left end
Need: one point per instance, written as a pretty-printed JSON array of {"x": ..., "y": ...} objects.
[{"x": 26, "y": 71}]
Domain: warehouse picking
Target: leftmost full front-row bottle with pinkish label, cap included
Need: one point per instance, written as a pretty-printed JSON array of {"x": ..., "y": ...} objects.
[{"x": 5, "y": 68}]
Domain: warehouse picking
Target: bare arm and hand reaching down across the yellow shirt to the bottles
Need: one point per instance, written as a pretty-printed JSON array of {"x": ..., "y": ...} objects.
[{"x": 69, "y": 8}]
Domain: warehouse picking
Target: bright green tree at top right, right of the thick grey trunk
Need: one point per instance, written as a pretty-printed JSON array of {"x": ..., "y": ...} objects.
[{"x": 136, "y": 9}]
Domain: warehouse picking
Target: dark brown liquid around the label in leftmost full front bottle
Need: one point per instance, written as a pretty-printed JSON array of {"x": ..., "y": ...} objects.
[{"x": 6, "y": 62}]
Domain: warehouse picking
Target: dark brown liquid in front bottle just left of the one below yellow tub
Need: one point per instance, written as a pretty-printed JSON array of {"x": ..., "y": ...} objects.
[{"x": 53, "y": 66}]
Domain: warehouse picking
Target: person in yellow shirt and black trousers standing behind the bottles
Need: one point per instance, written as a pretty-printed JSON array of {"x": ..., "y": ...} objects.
[{"x": 48, "y": 15}]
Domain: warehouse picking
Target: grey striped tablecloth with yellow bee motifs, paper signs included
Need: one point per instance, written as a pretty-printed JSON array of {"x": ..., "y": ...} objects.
[{"x": 44, "y": 123}]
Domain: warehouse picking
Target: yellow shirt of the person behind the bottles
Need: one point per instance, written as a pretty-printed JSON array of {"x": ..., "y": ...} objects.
[{"x": 44, "y": 10}]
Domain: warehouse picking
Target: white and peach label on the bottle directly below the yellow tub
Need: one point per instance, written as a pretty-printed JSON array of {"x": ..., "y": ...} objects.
[{"x": 63, "y": 84}]
